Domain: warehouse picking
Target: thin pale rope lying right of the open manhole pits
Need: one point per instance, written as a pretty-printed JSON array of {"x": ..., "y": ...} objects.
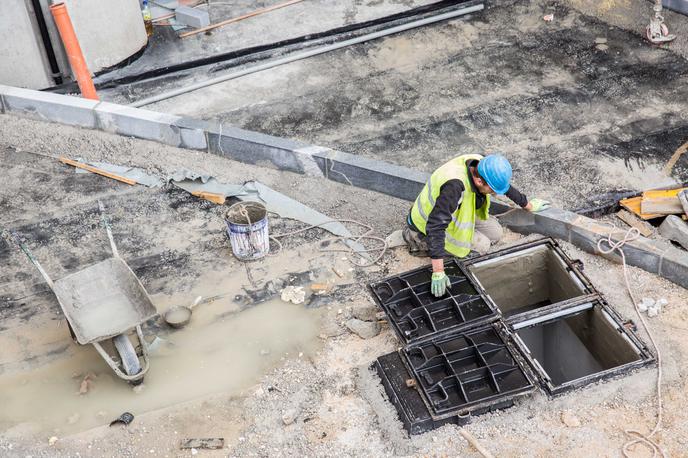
[{"x": 637, "y": 436}]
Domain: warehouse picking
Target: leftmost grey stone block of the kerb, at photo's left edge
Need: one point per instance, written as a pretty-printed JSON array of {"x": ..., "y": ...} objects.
[{"x": 44, "y": 106}]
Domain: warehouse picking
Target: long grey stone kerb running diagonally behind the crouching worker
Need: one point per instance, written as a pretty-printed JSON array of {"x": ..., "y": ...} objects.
[{"x": 284, "y": 154}]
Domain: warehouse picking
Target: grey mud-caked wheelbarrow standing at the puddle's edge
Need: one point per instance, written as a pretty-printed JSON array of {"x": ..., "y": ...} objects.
[{"x": 105, "y": 302}]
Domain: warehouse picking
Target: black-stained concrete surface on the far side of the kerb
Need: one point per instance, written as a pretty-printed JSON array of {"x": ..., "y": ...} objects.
[{"x": 576, "y": 119}]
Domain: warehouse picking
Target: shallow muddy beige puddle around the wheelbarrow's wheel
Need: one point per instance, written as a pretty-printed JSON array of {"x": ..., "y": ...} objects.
[{"x": 221, "y": 350}]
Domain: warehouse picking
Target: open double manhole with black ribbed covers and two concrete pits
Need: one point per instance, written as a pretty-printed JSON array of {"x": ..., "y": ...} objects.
[{"x": 514, "y": 321}]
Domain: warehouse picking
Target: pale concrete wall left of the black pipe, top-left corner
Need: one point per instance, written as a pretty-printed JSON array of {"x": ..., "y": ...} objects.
[{"x": 22, "y": 62}]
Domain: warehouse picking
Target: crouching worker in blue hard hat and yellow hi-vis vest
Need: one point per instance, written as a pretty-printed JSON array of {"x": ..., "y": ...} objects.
[{"x": 450, "y": 216}]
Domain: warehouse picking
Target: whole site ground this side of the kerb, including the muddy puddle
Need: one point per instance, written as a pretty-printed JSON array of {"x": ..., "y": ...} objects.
[{"x": 298, "y": 385}]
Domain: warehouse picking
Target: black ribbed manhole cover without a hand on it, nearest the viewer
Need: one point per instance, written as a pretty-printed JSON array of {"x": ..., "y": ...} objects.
[{"x": 463, "y": 369}]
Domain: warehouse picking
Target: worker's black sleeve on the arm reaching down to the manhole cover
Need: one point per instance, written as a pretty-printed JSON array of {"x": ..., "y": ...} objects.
[{"x": 440, "y": 216}]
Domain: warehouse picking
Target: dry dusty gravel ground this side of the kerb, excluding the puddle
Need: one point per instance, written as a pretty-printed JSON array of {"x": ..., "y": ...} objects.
[{"x": 173, "y": 241}]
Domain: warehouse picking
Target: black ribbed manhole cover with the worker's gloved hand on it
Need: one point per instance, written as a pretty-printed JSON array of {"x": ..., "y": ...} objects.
[{"x": 415, "y": 313}]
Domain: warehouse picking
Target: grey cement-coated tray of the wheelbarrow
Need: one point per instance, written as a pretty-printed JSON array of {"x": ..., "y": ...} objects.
[{"x": 103, "y": 301}]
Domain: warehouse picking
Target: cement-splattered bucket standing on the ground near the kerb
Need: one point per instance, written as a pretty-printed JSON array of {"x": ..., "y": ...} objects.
[{"x": 247, "y": 228}]
